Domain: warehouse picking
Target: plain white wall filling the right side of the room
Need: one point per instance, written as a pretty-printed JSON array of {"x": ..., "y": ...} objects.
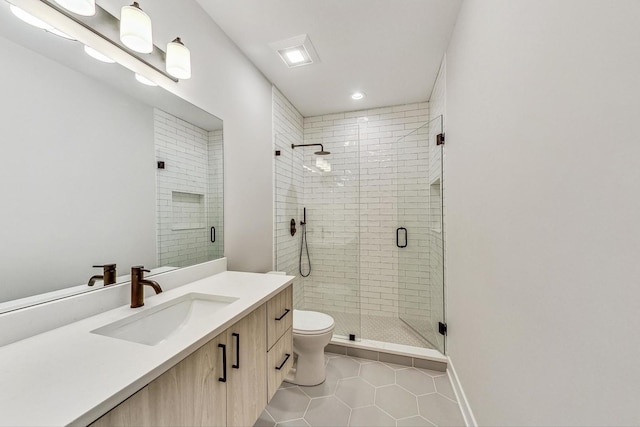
[{"x": 542, "y": 173}]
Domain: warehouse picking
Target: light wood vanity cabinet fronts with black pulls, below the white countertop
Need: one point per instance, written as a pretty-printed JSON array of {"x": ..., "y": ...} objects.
[{"x": 192, "y": 393}]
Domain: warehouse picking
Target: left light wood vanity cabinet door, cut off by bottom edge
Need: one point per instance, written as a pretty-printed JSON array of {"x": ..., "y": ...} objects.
[{"x": 190, "y": 393}]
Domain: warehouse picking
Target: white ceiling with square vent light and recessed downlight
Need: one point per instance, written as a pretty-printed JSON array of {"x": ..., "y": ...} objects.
[{"x": 389, "y": 49}]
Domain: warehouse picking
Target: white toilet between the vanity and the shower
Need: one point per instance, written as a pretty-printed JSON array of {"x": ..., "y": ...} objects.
[{"x": 312, "y": 331}]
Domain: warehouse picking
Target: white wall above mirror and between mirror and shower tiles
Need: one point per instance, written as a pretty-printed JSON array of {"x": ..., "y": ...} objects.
[{"x": 227, "y": 85}]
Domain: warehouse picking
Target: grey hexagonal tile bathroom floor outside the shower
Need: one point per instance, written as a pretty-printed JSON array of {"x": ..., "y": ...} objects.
[{"x": 360, "y": 392}]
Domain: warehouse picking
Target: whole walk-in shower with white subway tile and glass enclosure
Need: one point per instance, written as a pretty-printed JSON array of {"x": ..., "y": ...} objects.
[{"x": 373, "y": 227}]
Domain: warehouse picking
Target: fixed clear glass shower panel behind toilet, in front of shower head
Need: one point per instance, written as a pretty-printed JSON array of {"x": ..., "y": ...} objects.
[{"x": 323, "y": 253}]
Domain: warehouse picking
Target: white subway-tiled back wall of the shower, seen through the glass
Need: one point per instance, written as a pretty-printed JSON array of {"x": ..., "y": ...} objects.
[{"x": 359, "y": 204}]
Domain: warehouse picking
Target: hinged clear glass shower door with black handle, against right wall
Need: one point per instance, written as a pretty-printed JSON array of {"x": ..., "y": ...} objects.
[{"x": 419, "y": 233}]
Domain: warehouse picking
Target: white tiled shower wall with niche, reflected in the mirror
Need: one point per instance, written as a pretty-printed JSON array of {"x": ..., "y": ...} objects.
[{"x": 189, "y": 197}]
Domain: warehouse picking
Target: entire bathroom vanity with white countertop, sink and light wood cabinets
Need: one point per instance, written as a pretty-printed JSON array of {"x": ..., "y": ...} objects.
[{"x": 214, "y": 354}]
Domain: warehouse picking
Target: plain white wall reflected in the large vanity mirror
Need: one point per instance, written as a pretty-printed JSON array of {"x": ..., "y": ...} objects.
[{"x": 69, "y": 173}]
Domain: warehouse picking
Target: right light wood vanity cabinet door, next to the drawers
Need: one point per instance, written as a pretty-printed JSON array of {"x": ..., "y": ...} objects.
[{"x": 247, "y": 369}]
